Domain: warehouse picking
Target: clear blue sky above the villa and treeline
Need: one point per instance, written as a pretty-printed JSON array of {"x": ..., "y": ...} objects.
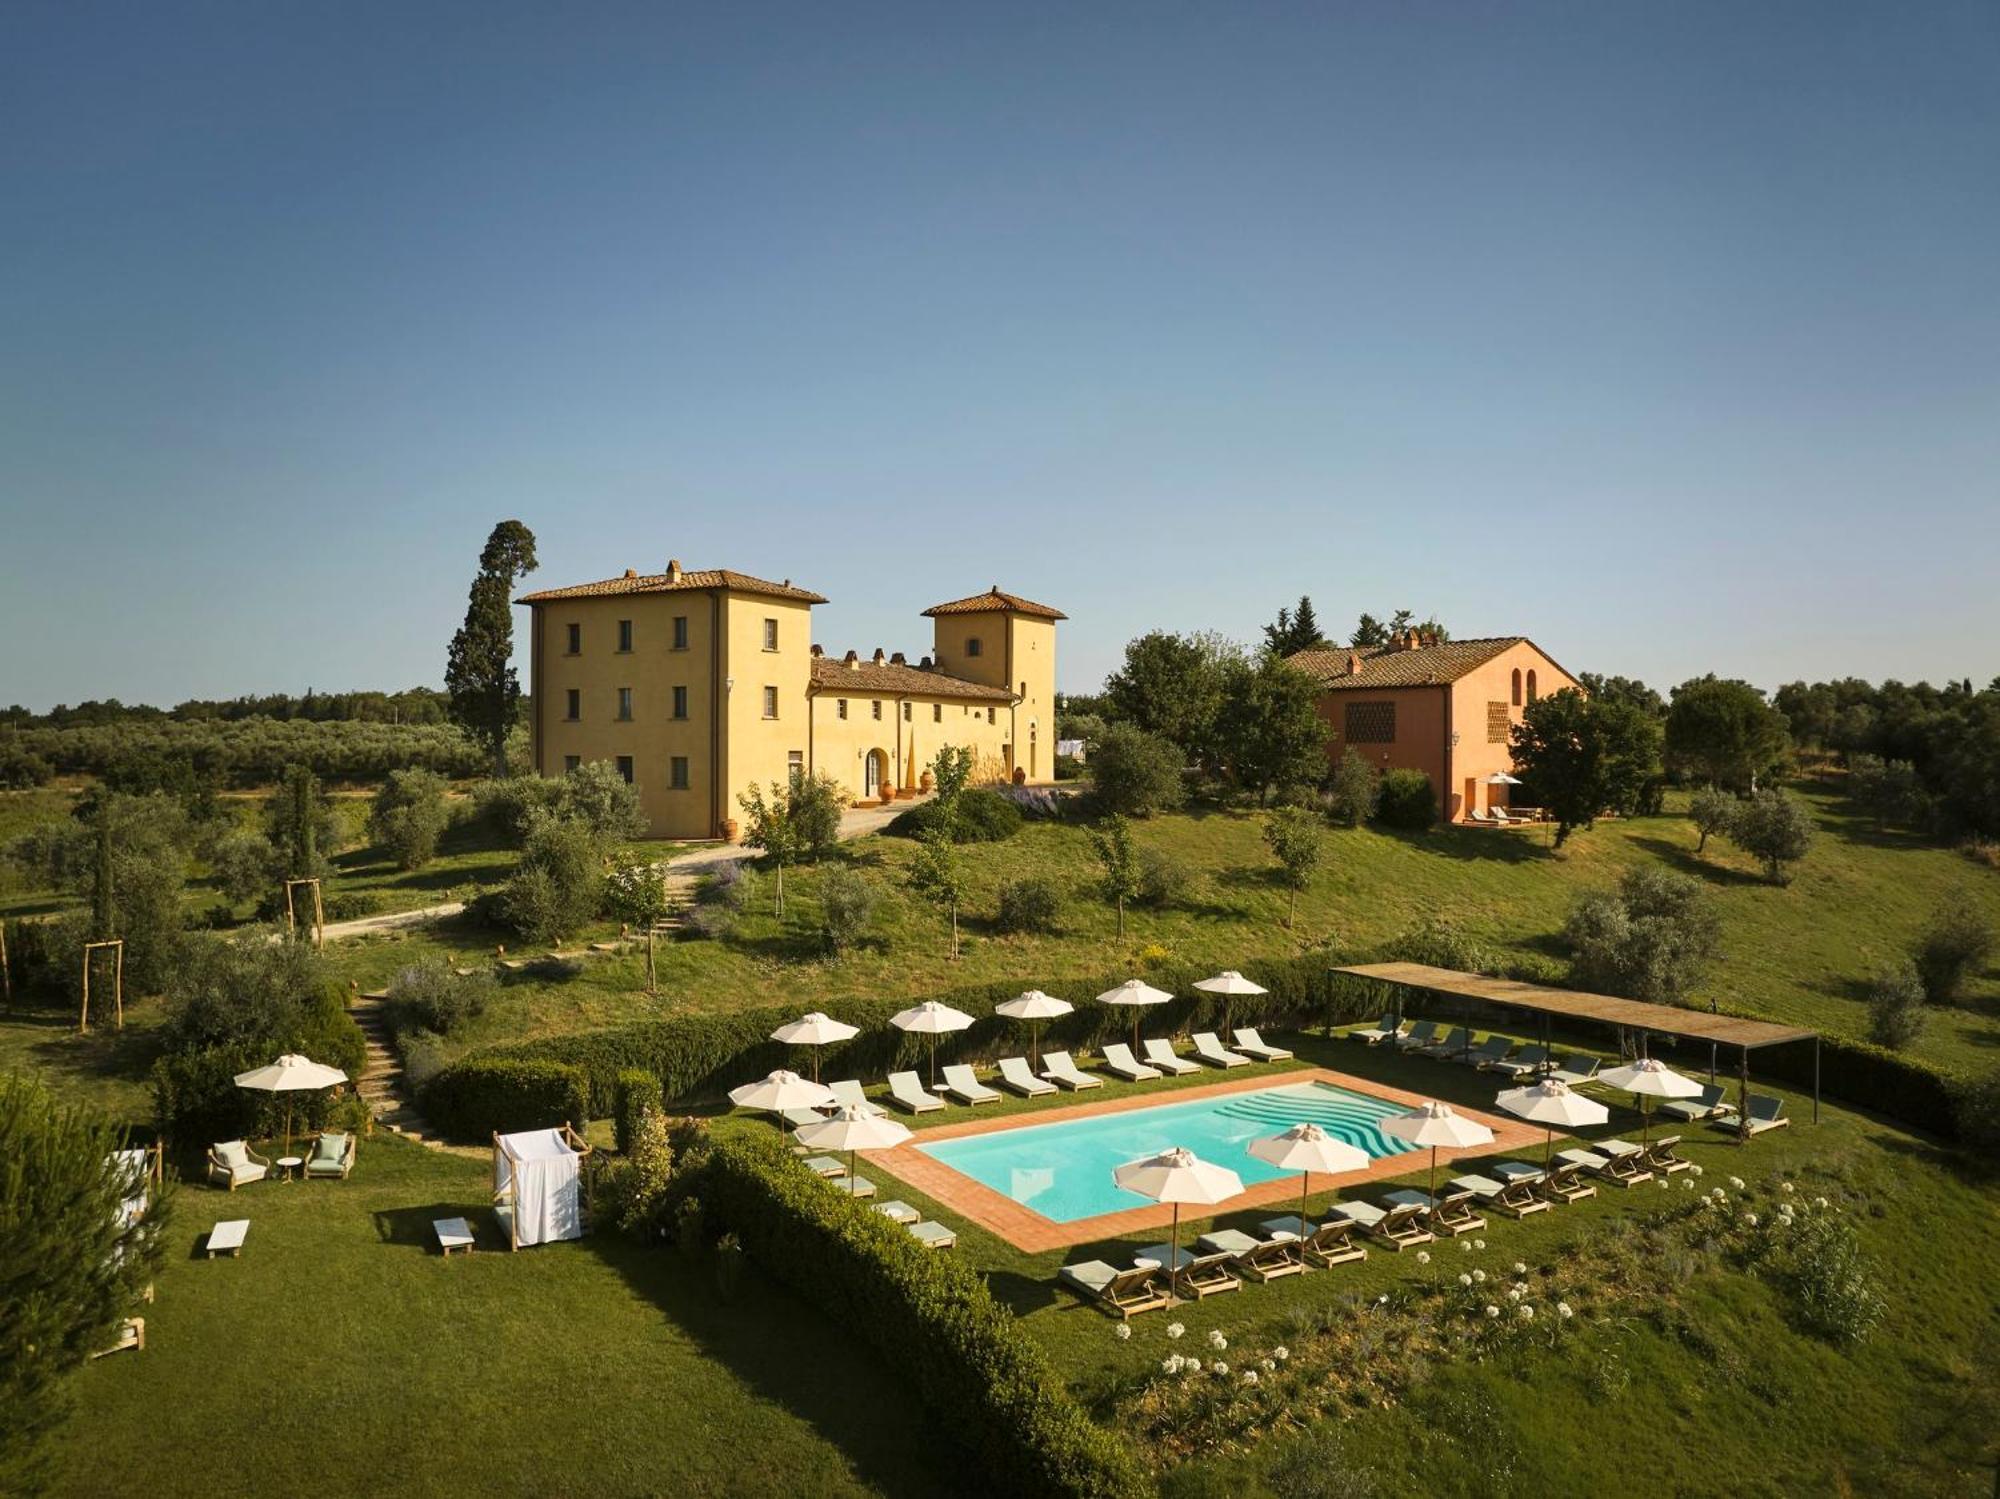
[{"x": 1663, "y": 333}]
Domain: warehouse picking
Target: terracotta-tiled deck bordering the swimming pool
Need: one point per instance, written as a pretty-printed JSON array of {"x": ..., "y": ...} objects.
[{"x": 1035, "y": 1234}]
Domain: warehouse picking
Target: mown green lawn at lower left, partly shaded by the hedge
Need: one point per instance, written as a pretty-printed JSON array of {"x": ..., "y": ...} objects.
[{"x": 341, "y": 1356}]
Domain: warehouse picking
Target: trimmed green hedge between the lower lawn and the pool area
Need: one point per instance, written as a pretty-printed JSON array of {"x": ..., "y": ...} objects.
[{"x": 929, "y": 1316}]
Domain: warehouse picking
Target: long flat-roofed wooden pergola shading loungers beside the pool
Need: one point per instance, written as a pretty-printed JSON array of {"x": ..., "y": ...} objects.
[{"x": 1605, "y": 1010}]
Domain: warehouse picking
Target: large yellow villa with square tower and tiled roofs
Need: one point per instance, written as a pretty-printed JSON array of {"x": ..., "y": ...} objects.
[{"x": 705, "y": 683}]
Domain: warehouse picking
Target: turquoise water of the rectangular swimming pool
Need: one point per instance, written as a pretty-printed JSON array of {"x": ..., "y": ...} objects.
[{"x": 1065, "y": 1170}]
